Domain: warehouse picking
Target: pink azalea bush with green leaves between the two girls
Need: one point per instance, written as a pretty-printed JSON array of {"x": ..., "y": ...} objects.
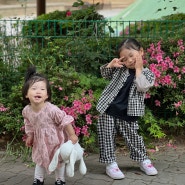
[{"x": 77, "y": 94}]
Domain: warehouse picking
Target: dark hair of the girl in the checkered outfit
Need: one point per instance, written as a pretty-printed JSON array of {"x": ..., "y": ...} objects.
[{"x": 129, "y": 43}]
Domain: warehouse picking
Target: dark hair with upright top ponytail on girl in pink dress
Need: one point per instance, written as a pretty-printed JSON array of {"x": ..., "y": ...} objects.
[{"x": 30, "y": 78}]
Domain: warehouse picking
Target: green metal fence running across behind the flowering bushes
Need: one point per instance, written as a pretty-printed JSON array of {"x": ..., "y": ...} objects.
[{"x": 15, "y": 34}]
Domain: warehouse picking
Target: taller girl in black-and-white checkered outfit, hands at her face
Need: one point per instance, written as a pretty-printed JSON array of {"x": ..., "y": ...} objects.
[{"x": 120, "y": 105}]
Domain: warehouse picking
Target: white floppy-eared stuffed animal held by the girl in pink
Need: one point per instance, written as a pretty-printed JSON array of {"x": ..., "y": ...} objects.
[{"x": 70, "y": 153}]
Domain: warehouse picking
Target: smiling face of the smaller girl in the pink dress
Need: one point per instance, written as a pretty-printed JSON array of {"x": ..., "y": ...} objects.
[{"x": 37, "y": 93}]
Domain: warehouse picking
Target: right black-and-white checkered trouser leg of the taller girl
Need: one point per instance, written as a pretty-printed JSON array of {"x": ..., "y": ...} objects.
[{"x": 135, "y": 143}]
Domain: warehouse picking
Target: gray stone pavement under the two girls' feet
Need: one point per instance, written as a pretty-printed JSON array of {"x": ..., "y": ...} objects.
[{"x": 169, "y": 161}]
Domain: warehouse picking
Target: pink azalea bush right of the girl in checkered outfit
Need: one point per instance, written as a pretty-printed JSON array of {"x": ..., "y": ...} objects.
[{"x": 168, "y": 93}]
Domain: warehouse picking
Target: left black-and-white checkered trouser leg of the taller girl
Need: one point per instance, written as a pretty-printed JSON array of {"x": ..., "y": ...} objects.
[{"x": 106, "y": 136}]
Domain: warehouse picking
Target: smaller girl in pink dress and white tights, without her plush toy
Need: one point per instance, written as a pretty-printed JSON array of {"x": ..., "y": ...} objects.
[{"x": 45, "y": 125}]
